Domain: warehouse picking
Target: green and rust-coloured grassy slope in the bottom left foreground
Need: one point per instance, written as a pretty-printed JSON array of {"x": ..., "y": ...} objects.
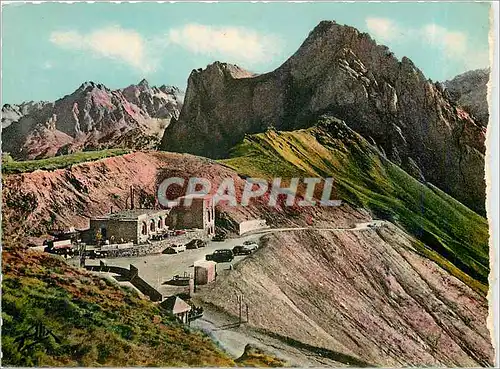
[{"x": 94, "y": 322}]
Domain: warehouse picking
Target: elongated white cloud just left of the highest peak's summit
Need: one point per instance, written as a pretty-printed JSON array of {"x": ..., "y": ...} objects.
[{"x": 234, "y": 43}]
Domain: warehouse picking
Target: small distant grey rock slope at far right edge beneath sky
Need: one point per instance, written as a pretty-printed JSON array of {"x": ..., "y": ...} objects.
[{"x": 470, "y": 91}]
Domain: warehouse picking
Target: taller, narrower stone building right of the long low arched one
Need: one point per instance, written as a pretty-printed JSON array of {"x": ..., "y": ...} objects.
[{"x": 200, "y": 214}]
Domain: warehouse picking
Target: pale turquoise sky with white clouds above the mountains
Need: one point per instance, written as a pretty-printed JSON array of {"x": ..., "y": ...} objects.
[{"x": 49, "y": 49}]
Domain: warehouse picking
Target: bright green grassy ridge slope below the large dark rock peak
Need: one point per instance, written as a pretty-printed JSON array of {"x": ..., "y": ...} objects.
[{"x": 451, "y": 234}]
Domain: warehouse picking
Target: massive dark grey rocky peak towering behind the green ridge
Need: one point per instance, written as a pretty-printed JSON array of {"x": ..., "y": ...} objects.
[{"x": 341, "y": 71}]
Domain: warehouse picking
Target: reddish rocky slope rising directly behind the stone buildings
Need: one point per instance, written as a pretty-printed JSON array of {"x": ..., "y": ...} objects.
[{"x": 37, "y": 202}]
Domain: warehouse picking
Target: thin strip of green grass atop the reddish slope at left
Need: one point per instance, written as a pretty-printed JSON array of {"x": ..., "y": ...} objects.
[{"x": 10, "y": 166}]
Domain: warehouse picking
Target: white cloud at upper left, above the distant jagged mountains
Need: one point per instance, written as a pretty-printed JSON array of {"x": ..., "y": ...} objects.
[{"x": 113, "y": 42}]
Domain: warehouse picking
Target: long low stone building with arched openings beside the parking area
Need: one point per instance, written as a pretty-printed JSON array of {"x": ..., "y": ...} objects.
[{"x": 136, "y": 225}]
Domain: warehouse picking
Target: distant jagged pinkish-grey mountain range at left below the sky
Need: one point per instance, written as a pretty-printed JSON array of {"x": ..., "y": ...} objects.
[{"x": 91, "y": 118}]
